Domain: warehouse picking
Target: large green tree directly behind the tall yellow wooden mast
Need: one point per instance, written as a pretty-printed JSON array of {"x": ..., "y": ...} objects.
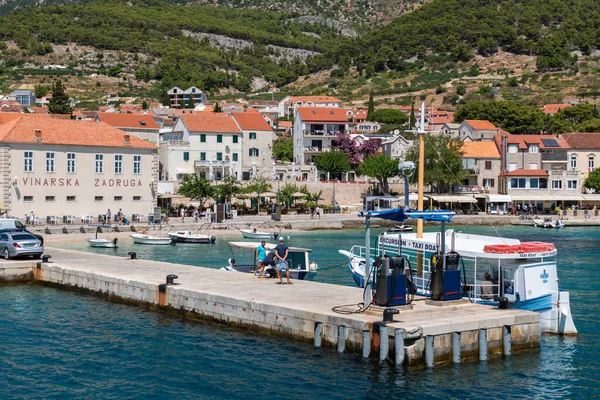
[{"x": 443, "y": 162}]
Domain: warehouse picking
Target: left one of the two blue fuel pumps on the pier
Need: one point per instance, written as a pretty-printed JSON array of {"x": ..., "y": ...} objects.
[{"x": 390, "y": 281}]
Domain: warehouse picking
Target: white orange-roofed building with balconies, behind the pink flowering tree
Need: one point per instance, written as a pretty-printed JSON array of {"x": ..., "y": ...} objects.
[{"x": 314, "y": 130}]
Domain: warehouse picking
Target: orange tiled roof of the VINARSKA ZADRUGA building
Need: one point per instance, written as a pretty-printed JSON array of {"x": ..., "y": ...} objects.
[{"x": 67, "y": 132}]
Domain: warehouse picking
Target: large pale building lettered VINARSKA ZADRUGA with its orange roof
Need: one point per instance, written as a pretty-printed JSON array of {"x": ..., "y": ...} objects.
[{"x": 60, "y": 167}]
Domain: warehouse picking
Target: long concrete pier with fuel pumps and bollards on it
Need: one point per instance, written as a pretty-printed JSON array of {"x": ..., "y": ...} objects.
[{"x": 298, "y": 311}]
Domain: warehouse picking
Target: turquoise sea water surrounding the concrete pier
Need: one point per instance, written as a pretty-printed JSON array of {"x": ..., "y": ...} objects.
[{"x": 62, "y": 345}]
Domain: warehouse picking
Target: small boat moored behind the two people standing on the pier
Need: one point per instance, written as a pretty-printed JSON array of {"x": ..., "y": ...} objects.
[{"x": 298, "y": 261}]
